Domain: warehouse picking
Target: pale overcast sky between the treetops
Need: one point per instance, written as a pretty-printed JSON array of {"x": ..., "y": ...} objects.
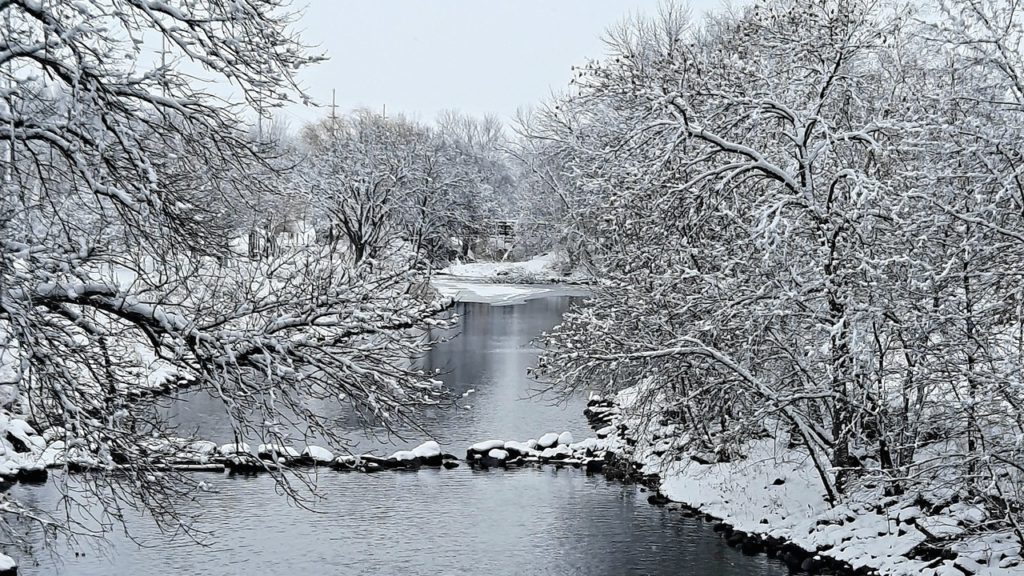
[{"x": 421, "y": 57}]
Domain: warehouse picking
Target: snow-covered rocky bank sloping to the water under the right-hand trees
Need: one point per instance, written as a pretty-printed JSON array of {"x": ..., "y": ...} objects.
[{"x": 774, "y": 497}]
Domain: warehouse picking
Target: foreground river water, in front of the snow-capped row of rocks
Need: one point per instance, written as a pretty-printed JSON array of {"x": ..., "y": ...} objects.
[{"x": 429, "y": 523}]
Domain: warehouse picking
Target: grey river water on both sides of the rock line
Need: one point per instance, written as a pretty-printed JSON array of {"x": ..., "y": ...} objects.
[{"x": 524, "y": 522}]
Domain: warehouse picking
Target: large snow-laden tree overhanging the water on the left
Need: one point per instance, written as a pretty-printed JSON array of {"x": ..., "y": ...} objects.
[{"x": 123, "y": 179}]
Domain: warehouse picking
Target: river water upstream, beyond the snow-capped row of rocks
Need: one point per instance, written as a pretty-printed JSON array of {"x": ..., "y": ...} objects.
[{"x": 489, "y": 355}]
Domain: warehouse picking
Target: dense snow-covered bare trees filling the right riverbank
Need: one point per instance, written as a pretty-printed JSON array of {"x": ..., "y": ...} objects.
[{"x": 807, "y": 219}]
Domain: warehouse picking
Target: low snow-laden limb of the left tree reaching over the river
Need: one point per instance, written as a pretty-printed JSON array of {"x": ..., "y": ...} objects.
[{"x": 251, "y": 323}]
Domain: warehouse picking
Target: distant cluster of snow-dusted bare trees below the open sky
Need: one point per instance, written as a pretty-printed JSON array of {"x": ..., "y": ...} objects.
[{"x": 374, "y": 178}]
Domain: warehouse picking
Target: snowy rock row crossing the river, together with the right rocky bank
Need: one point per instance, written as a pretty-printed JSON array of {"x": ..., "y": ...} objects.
[{"x": 888, "y": 538}]
